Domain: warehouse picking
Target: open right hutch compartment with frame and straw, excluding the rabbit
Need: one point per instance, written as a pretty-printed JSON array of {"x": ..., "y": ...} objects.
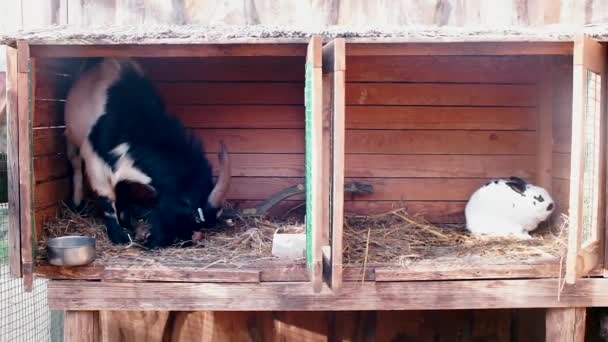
[{"x": 427, "y": 124}]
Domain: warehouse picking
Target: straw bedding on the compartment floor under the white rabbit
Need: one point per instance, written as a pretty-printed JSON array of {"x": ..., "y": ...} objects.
[{"x": 399, "y": 238}]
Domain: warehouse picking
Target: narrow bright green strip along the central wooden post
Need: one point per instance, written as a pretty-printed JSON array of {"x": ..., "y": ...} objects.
[{"x": 308, "y": 161}]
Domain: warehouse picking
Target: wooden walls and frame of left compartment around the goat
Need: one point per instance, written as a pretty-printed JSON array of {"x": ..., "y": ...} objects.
[{"x": 251, "y": 96}]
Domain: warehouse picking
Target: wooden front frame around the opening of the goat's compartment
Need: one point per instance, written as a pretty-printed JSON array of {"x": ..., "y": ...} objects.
[{"x": 187, "y": 273}]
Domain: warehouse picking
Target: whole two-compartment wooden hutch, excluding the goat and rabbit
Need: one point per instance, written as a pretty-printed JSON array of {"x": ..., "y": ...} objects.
[{"x": 425, "y": 122}]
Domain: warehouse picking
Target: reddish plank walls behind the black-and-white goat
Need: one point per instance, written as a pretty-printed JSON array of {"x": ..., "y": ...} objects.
[{"x": 253, "y": 104}]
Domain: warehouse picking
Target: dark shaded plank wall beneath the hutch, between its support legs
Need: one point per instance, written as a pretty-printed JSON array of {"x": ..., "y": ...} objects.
[{"x": 462, "y": 325}]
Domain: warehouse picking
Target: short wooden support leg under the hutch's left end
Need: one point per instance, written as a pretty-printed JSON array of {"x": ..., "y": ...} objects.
[{"x": 81, "y": 326}]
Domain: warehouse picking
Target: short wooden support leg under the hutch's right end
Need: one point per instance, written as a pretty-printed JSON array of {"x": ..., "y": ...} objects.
[{"x": 565, "y": 325}]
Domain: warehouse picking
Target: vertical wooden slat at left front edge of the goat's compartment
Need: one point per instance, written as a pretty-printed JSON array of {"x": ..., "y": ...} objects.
[{"x": 25, "y": 91}]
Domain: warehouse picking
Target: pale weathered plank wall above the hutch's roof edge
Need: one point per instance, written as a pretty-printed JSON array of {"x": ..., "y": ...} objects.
[{"x": 87, "y": 13}]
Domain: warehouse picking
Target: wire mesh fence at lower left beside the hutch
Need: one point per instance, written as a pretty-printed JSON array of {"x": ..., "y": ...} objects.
[{"x": 24, "y": 317}]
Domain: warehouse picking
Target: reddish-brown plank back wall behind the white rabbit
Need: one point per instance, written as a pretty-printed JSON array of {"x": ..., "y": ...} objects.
[{"x": 428, "y": 131}]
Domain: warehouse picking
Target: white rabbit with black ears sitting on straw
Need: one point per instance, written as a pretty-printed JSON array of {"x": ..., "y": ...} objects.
[{"x": 508, "y": 207}]
